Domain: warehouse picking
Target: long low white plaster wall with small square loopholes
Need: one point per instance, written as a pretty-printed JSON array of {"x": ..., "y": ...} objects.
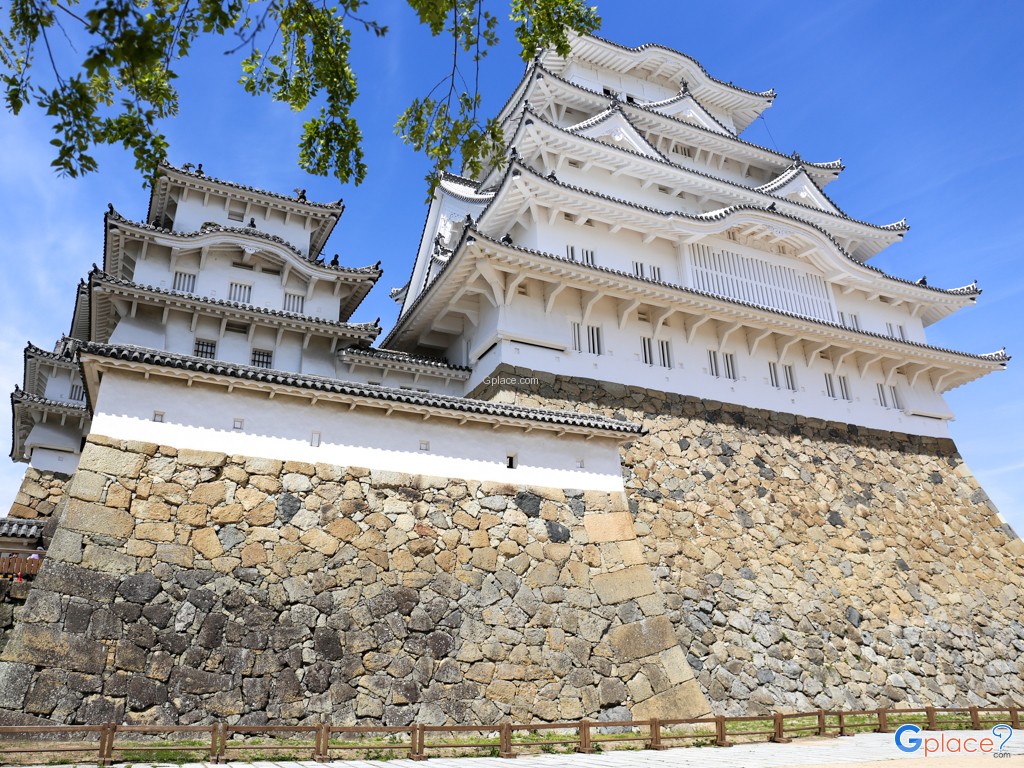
[{"x": 203, "y": 417}]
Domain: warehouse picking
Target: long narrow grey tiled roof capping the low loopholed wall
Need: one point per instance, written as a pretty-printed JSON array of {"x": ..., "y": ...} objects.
[{"x": 388, "y": 395}]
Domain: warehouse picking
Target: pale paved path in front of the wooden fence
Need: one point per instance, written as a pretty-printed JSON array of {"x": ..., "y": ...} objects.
[{"x": 866, "y": 751}]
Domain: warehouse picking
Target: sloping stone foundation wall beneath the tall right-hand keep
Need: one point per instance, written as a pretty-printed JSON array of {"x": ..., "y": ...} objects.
[{"x": 815, "y": 565}]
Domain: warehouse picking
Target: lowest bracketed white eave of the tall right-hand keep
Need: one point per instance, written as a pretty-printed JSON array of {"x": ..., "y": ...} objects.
[{"x": 487, "y": 269}]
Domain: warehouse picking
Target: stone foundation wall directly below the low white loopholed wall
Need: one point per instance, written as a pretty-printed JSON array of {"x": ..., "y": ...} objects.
[{"x": 184, "y": 586}]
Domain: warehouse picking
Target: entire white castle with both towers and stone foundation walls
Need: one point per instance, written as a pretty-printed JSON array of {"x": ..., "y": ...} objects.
[{"x": 650, "y": 438}]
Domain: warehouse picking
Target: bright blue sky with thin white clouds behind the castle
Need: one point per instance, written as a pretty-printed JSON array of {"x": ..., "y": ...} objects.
[{"x": 923, "y": 103}]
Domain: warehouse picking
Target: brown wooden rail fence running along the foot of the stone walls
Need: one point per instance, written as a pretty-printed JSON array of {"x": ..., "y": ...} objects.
[{"x": 221, "y": 743}]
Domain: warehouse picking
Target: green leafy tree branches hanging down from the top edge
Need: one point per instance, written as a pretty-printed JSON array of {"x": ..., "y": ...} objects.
[{"x": 296, "y": 53}]
